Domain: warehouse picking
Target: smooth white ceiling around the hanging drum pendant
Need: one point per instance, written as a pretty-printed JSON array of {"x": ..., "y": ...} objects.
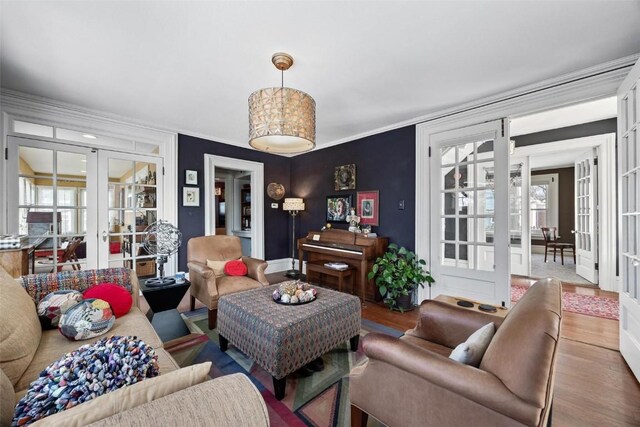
[{"x": 190, "y": 66}]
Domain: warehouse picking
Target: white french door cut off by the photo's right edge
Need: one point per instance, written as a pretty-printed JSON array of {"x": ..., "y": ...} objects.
[{"x": 629, "y": 196}]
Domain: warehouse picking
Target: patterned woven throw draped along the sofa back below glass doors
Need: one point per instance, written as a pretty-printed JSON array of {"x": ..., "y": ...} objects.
[{"x": 40, "y": 285}]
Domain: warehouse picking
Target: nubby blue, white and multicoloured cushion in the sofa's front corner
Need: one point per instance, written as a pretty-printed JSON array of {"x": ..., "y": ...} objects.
[{"x": 82, "y": 375}]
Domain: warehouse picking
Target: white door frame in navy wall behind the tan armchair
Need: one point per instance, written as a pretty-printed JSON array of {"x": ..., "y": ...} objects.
[{"x": 211, "y": 162}]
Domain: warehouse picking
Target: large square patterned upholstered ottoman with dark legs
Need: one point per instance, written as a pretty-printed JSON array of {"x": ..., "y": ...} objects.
[{"x": 284, "y": 338}]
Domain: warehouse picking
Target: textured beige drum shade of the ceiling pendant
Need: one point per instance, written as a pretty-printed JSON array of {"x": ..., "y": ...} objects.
[{"x": 282, "y": 120}]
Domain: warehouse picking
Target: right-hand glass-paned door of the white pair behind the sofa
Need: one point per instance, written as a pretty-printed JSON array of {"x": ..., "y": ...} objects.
[{"x": 131, "y": 187}]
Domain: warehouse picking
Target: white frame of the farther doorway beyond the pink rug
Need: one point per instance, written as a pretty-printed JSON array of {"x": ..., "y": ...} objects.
[{"x": 605, "y": 144}]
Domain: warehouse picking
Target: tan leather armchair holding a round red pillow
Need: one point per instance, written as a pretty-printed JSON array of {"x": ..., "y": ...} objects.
[{"x": 205, "y": 286}]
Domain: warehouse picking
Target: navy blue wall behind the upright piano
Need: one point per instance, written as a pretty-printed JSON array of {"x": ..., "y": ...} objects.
[{"x": 384, "y": 162}]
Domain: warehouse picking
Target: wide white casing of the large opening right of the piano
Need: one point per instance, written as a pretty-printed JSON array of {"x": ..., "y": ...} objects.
[{"x": 561, "y": 94}]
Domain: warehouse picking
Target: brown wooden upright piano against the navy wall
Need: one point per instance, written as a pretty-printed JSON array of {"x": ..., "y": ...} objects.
[{"x": 354, "y": 249}]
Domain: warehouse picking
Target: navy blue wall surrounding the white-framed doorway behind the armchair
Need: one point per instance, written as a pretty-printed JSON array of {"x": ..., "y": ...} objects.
[{"x": 191, "y": 151}]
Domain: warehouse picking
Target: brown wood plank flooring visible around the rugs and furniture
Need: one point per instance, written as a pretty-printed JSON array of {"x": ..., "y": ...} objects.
[{"x": 593, "y": 387}]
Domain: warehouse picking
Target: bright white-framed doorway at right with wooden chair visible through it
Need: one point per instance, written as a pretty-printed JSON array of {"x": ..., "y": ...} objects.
[{"x": 572, "y": 189}]
